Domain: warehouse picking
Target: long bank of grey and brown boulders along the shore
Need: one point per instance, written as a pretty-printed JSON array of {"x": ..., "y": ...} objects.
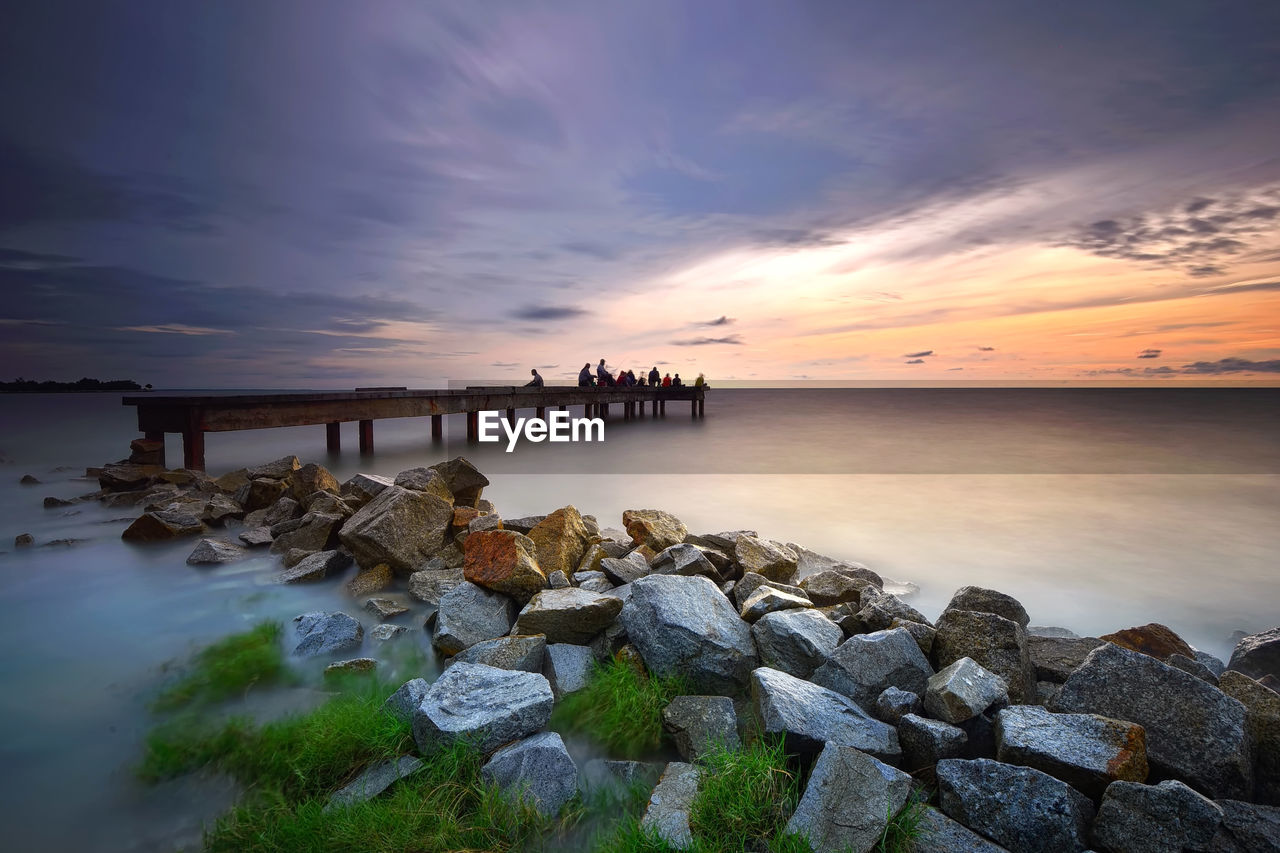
[{"x": 1023, "y": 738}]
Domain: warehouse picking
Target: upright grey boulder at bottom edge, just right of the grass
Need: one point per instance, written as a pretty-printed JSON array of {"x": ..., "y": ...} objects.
[{"x": 848, "y": 801}]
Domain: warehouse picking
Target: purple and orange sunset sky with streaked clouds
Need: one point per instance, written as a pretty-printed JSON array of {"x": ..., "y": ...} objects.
[{"x": 324, "y": 195}]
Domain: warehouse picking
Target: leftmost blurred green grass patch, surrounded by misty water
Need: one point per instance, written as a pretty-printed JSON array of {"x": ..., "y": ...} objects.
[{"x": 228, "y": 669}]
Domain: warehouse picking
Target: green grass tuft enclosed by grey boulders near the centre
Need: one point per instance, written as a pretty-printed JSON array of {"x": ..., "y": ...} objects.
[{"x": 620, "y": 709}]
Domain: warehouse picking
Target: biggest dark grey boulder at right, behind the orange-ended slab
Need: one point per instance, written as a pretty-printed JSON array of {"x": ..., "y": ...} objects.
[{"x": 1195, "y": 733}]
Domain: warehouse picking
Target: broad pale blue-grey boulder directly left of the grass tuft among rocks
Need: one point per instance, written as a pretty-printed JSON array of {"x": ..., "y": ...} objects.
[{"x": 483, "y": 705}]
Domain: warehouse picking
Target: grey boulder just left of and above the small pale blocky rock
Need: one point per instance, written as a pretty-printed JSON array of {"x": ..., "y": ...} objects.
[{"x": 866, "y": 664}]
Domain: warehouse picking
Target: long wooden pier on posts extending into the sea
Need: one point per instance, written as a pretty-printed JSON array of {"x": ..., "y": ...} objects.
[{"x": 194, "y": 417}]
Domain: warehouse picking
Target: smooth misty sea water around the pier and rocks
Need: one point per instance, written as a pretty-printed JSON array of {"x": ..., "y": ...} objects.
[{"x": 1098, "y": 509}]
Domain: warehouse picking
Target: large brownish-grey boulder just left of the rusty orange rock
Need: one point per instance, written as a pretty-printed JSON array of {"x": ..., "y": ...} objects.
[{"x": 400, "y": 527}]
